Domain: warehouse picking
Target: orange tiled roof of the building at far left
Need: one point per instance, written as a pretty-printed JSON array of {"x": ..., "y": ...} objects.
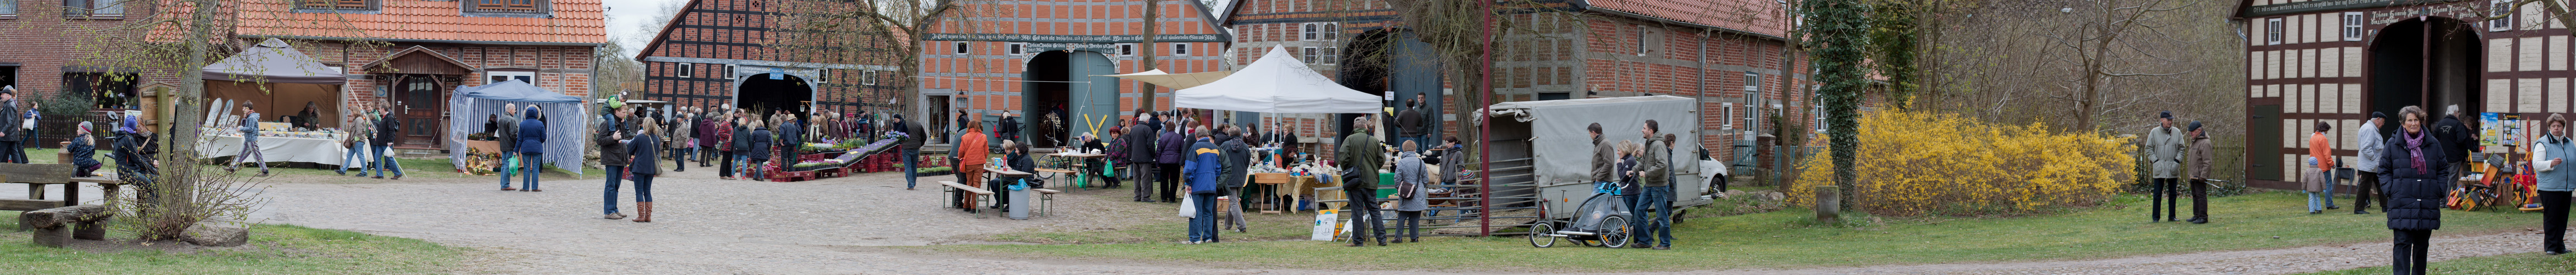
[{"x": 573, "y": 22}]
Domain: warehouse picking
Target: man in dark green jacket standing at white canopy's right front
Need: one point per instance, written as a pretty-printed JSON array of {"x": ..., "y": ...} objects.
[{"x": 1361, "y": 158}]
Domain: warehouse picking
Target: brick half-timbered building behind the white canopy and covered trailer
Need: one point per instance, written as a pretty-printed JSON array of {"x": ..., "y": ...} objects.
[{"x": 1725, "y": 53}]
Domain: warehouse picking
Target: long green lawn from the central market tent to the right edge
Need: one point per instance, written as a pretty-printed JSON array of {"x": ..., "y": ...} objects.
[{"x": 1784, "y": 240}]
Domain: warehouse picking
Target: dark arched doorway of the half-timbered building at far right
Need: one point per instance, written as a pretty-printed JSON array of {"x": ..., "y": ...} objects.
[{"x": 2425, "y": 63}]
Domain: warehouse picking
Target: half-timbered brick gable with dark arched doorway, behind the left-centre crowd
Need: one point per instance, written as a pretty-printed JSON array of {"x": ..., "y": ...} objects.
[{"x": 741, "y": 53}]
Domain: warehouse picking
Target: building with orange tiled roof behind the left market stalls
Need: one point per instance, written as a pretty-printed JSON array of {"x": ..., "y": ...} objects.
[{"x": 429, "y": 48}]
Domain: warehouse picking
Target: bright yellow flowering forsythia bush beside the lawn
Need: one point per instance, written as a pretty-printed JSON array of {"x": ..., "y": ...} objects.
[{"x": 1938, "y": 163}]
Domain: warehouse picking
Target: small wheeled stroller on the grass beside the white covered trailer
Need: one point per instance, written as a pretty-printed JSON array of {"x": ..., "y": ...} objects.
[{"x": 1598, "y": 222}]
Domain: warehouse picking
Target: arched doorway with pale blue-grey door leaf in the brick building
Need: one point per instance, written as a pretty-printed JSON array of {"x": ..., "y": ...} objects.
[{"x": 1063, "y": 96}]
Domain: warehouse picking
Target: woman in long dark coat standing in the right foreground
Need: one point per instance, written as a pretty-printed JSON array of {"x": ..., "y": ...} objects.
[{"x": 2415, "y": 181}]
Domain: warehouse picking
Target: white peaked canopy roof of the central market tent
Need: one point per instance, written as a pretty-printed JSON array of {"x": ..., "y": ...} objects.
[{"x": 1276, "y": 84}]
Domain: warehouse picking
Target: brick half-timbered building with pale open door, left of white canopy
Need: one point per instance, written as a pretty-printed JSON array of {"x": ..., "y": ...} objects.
[{"x": 1034, "y": 58}]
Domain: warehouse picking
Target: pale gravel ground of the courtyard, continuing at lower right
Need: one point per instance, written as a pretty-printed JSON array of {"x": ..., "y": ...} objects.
[{"x": 869, "y": 225}]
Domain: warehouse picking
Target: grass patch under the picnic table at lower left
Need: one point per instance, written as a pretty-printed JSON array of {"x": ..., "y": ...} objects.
[{"x": 272, "y": 251}]
